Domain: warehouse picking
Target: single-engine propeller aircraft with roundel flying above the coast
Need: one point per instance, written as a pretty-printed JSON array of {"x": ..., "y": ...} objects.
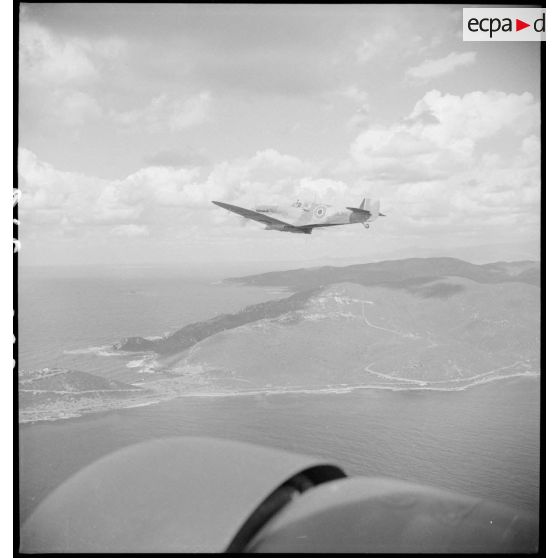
[{"x": 304, "y": 217}]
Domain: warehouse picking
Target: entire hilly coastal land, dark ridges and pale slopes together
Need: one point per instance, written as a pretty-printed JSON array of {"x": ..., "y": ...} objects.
[{"x": 411, "y": 324}]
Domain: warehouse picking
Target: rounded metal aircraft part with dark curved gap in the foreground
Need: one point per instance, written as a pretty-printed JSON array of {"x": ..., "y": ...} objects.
[{"x": 210, "y": 495}]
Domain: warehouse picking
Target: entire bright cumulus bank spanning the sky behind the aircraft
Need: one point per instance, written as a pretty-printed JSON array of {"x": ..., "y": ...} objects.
[{"x": 441, "y": 168}]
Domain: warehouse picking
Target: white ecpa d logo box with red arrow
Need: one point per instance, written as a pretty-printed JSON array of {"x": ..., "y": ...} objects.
[{"x": 504, "y": 24}]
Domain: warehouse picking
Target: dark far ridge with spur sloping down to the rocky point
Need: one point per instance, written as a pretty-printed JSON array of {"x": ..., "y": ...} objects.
[{"x": 416, "y": 275}]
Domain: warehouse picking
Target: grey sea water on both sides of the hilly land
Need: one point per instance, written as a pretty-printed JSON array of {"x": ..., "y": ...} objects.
[{"x": 482, "y": 440}]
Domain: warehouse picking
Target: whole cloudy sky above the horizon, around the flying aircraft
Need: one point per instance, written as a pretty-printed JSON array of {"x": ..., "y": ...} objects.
[{"x": 132, "y": 118}]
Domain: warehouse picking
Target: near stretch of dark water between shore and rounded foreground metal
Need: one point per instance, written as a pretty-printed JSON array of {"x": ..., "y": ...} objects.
[{"x": 372, "y": 432}]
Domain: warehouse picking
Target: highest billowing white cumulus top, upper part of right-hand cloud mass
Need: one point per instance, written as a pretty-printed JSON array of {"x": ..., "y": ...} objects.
[{"x": 440, "y": 134}]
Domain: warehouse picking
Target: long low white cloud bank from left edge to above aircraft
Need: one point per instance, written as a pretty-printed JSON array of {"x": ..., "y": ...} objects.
[{"x": 158, "y": 197}]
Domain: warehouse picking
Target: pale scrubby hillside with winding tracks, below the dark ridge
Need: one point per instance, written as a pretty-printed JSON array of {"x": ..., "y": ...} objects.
[{"x": 428, "y": 333}]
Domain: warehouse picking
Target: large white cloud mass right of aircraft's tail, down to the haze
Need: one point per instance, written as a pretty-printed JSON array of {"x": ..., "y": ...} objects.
[{"x": 439, "y": 175}]
